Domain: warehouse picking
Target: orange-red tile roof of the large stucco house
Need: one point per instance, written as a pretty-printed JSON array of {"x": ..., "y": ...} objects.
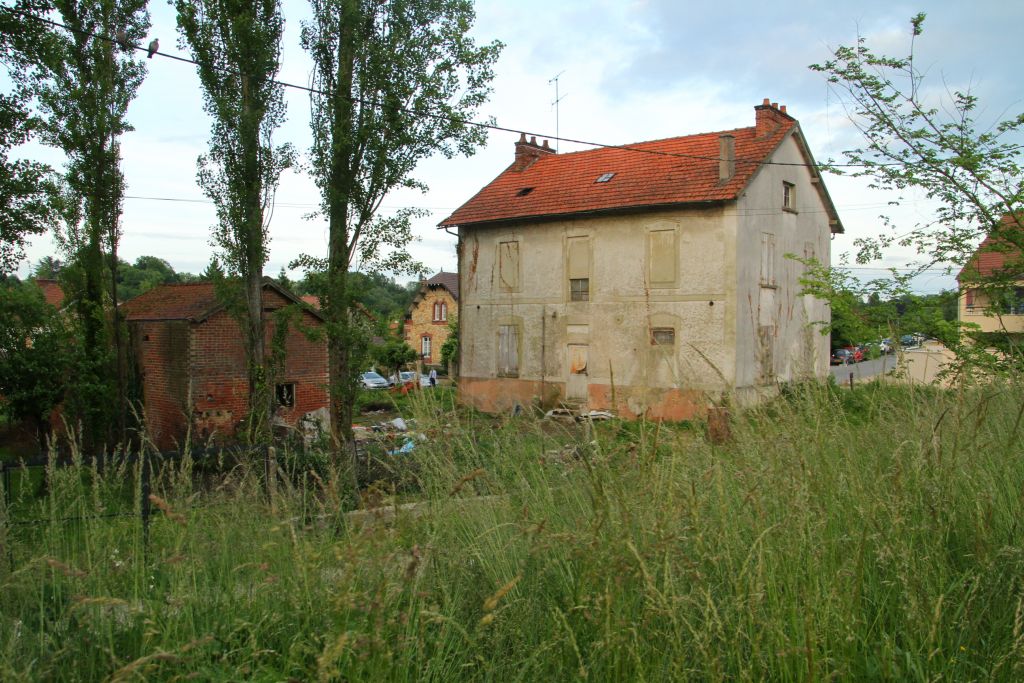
[{"x": 681, "y": 170}]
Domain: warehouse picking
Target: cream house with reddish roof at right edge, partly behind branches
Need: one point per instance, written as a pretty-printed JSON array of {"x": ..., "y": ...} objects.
[{"x": 998, "y": 267}]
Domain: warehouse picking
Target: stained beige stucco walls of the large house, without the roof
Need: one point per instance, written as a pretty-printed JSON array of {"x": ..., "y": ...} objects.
[{"x": 651, "y": 311}]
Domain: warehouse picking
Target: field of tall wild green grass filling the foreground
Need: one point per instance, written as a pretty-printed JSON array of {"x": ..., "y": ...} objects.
[{"x": 866, "y": 535}]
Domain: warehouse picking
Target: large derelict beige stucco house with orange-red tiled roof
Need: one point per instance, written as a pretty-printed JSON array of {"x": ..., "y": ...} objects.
[{"x": 649, "y": 279}]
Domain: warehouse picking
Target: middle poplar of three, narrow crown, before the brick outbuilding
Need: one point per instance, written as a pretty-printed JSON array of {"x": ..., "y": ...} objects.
[{"x": 238, "y": 47}]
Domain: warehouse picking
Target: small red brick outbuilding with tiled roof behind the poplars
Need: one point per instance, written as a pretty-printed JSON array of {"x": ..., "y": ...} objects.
[{"x": 190, "y": 356}]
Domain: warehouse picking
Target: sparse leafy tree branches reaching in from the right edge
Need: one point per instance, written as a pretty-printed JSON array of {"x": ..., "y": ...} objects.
[{"x": 916, "y": 139}]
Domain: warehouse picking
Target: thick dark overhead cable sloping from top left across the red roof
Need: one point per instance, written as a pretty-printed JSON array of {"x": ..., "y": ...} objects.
[{"x": 441, "y": 117}]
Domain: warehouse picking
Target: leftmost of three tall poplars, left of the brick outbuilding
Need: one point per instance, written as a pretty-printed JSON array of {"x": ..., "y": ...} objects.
[{"x": 93, "y": 73}]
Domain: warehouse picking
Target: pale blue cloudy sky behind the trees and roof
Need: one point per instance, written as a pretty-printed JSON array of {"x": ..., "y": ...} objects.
[{"x": 630, "y": 71}]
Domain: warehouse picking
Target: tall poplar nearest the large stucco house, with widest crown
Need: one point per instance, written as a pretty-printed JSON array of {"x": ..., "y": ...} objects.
[{"x": 395, "y": 82}]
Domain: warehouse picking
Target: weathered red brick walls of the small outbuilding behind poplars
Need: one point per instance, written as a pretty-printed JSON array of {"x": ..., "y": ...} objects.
[{"x": 210, "y": 358}]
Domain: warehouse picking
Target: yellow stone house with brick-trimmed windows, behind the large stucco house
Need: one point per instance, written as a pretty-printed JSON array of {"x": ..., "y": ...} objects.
[{"x": 426, "y": 325}]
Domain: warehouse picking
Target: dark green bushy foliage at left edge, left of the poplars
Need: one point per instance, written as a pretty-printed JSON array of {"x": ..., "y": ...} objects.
[{"x": 35, "y": 352}]
